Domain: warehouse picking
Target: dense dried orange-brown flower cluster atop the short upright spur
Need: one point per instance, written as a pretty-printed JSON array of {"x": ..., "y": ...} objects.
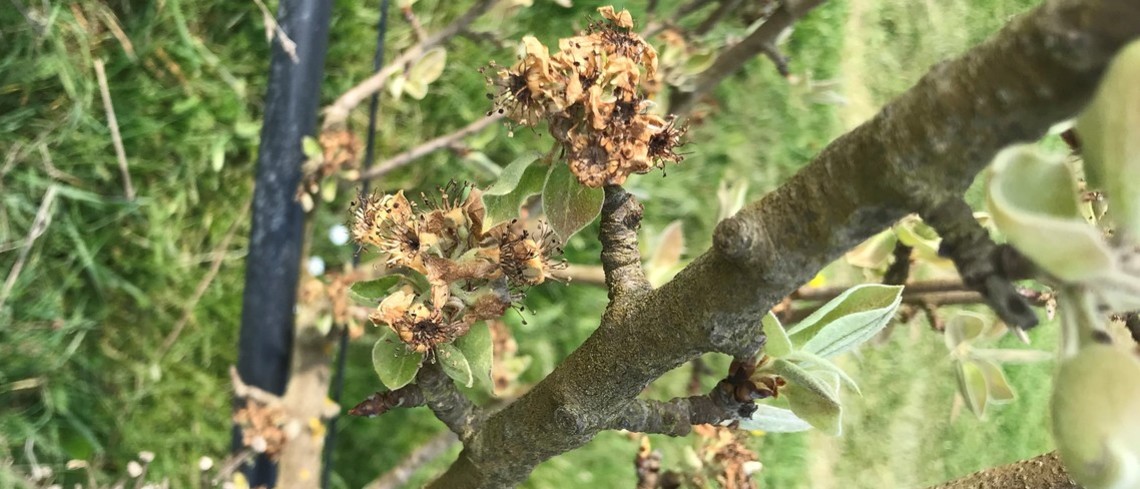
[{"x": 593, "y": 93}]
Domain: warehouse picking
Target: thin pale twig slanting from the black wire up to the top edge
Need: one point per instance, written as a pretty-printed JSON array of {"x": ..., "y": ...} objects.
[{"x": 338, "y": 113}]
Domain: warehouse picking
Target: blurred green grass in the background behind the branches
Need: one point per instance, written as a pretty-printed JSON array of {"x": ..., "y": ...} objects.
[{"x": 84, "y": 373}]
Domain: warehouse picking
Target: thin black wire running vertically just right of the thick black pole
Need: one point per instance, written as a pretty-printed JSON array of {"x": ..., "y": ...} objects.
[{"x": 378, "y": 62}]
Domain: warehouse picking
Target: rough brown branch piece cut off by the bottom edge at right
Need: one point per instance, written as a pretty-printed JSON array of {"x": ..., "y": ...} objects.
[{"x": 1041, "y": 472}]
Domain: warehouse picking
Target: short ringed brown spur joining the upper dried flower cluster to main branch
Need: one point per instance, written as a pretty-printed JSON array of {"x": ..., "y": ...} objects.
[{"x": 621, "y": 258}]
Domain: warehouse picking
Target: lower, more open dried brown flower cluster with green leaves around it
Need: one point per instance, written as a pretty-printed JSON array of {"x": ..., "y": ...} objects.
[{"x": 471, "y": 274}]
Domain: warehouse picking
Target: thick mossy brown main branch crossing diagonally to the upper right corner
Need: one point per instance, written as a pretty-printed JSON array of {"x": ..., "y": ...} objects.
[{"x": 919, "y": 152}]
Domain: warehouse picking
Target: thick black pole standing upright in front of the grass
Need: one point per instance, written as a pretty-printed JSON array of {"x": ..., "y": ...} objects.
[{"x": 274, "y": 260}]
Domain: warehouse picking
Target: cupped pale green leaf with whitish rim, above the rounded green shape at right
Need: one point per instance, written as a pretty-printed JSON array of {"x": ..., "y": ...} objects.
[{"x": 1033, "y": 201}]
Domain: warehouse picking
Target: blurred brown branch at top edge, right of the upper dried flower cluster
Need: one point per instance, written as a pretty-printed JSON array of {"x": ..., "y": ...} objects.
[{"x": 761, "y": 42}]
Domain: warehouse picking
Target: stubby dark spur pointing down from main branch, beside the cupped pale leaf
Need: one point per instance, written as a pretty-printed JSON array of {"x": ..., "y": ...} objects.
[{"x": 978, "y": 257}]
